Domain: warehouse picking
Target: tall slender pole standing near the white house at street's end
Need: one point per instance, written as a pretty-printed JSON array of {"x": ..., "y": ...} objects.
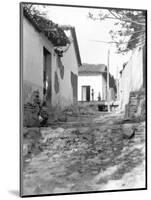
[{"x": 108, "y": 81}]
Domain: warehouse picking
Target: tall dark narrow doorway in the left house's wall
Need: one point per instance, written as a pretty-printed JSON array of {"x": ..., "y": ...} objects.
[{"x": 47, "y": 91}]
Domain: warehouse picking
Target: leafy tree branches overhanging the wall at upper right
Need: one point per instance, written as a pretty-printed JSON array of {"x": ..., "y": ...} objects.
[{"x": 130, "y": 27}]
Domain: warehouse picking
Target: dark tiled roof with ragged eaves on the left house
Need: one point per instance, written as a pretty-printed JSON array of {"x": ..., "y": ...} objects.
[{"x": 52, "y": 31}]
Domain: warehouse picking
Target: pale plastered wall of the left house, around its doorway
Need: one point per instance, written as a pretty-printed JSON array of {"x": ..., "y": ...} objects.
[{"x": 33, "y": 44}]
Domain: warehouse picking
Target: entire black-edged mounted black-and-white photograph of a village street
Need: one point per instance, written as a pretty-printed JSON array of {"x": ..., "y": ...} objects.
[{"x": 83, "y": 79}]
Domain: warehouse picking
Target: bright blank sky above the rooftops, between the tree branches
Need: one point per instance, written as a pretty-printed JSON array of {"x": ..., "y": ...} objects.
[{"x": 89, "y": 32}]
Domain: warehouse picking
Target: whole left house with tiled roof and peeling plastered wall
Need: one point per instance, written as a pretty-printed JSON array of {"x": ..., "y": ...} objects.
[{"x": 50, "y": 61}]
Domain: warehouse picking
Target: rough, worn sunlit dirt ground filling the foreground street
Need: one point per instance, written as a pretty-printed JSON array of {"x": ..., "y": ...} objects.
[{"x": 93, "y": 155}]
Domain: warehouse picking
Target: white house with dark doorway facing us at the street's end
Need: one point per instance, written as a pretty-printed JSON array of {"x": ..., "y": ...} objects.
[{"x": 92, "y": 83}]
